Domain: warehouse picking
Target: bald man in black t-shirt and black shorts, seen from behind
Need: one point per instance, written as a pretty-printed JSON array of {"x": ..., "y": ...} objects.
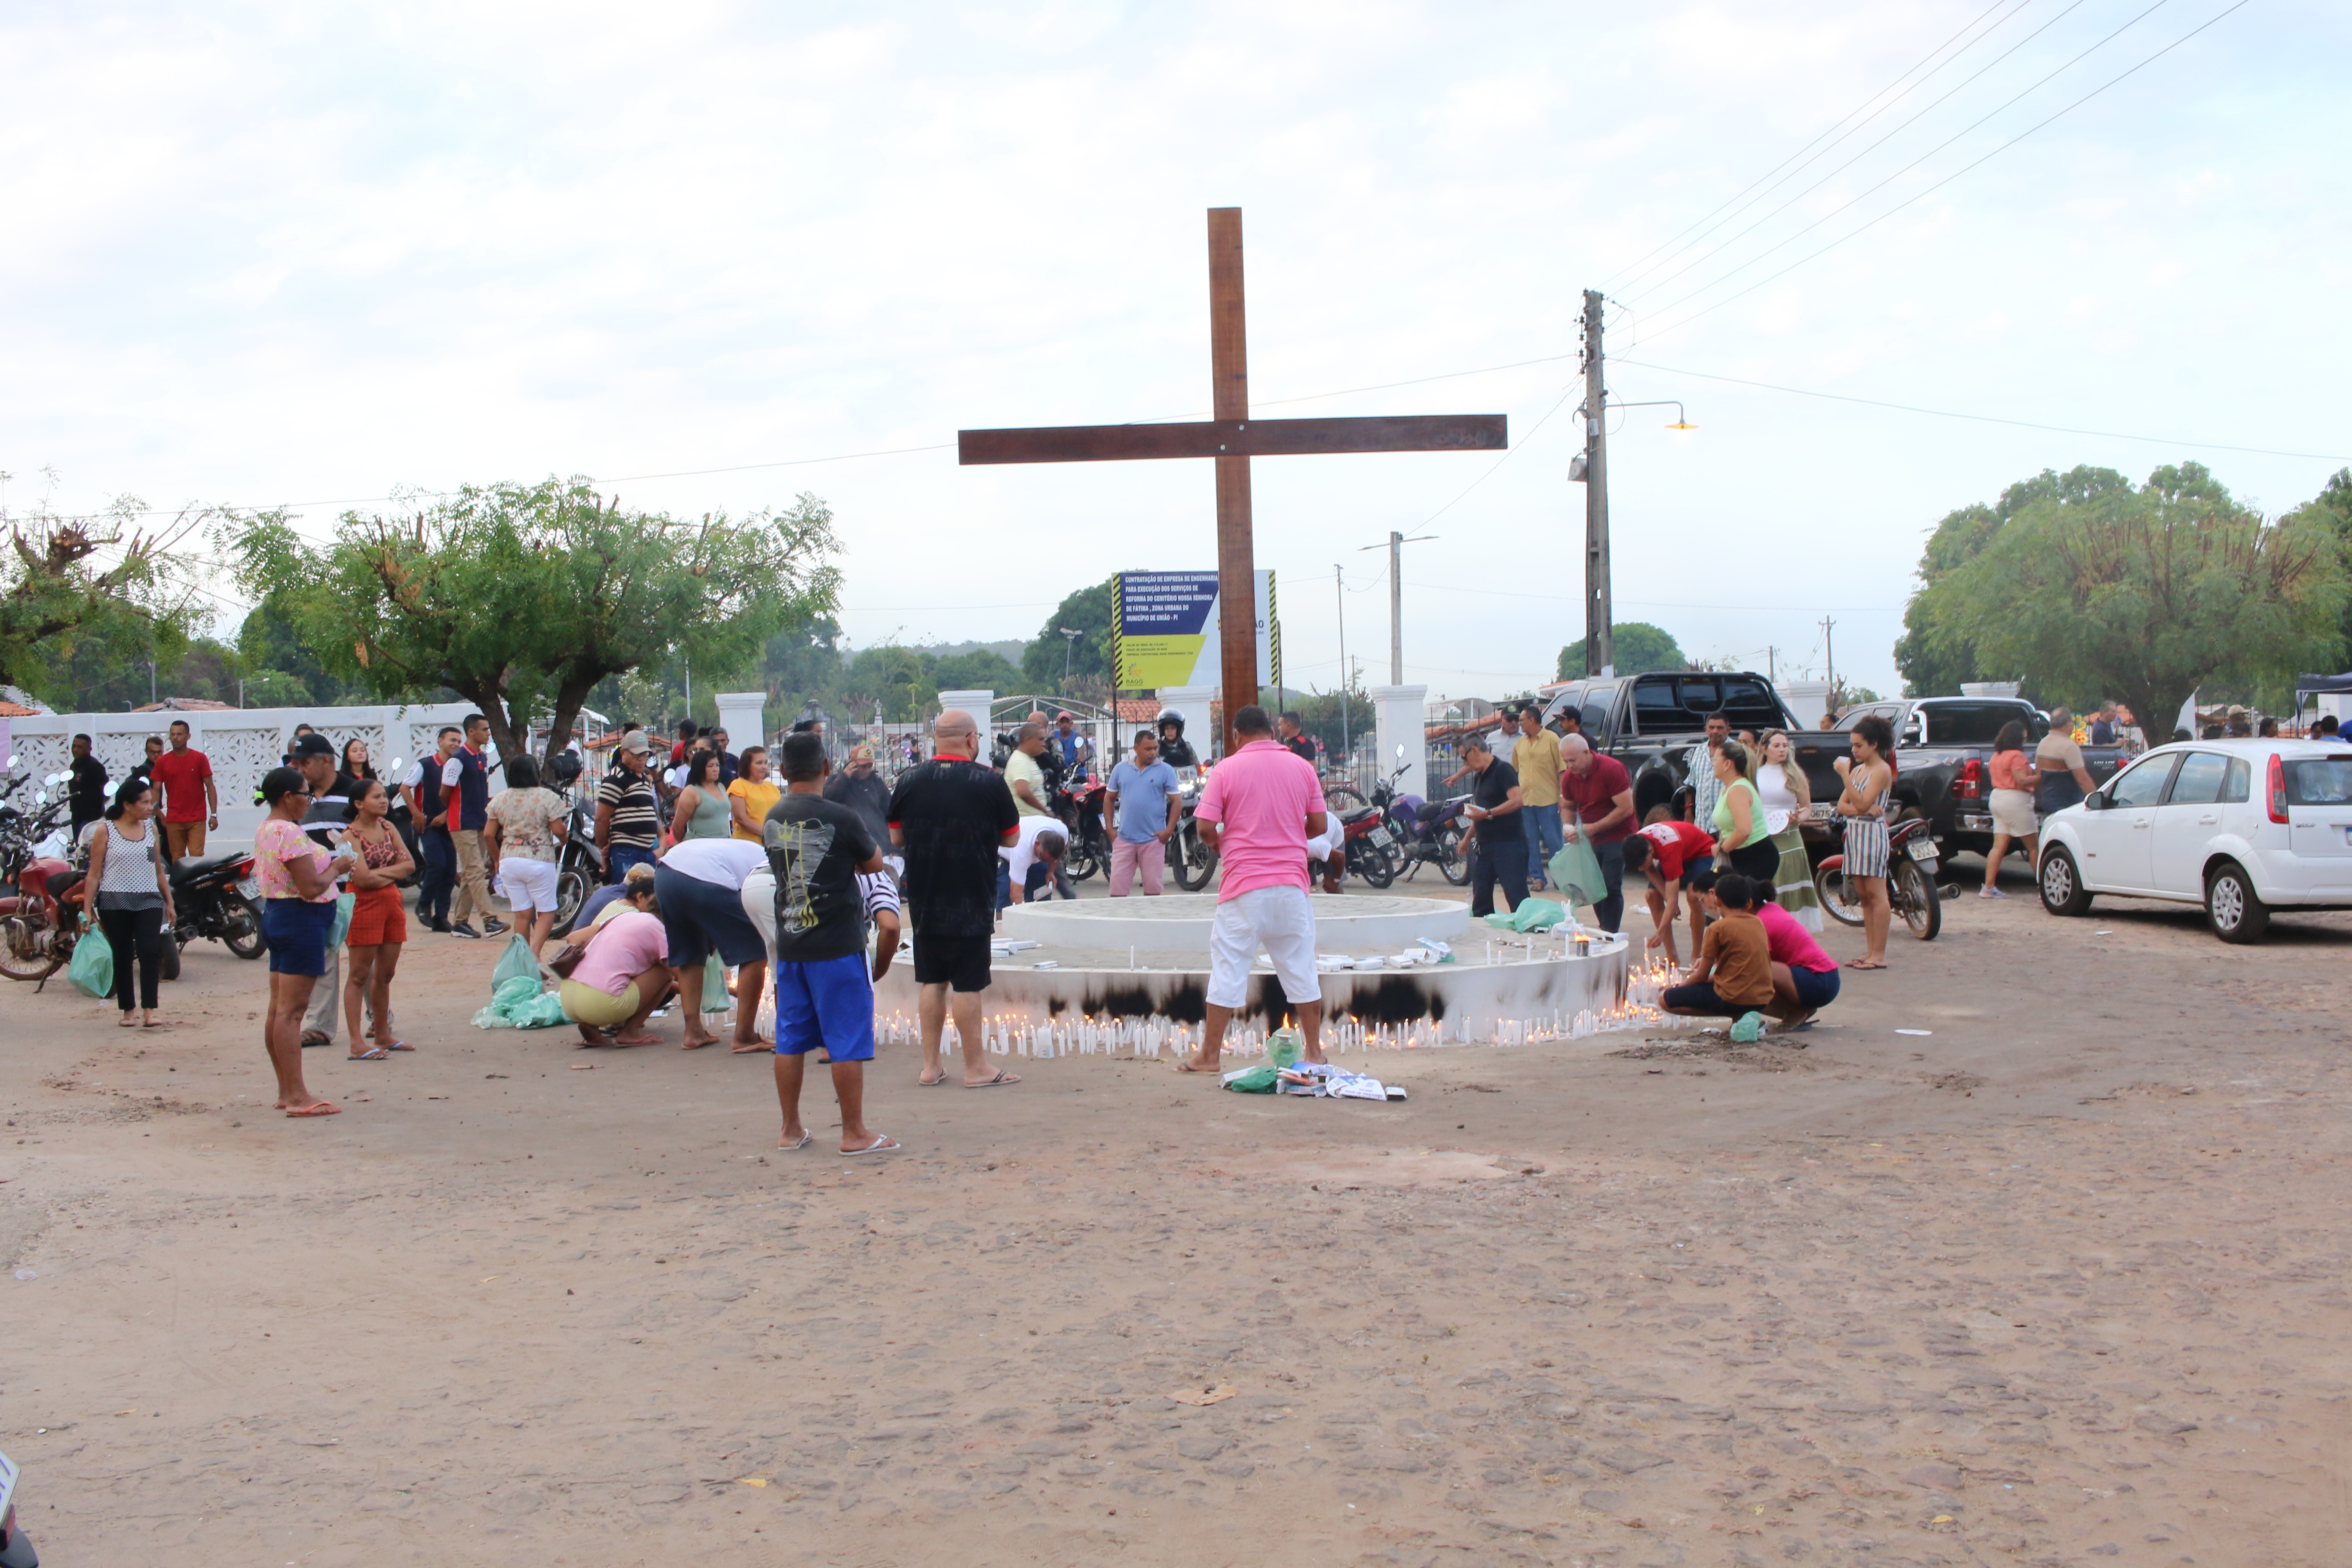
[{"x": 951, "y": 817}]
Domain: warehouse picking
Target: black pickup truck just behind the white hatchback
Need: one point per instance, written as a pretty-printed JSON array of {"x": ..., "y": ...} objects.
[{"x": 1944, "y": 760}]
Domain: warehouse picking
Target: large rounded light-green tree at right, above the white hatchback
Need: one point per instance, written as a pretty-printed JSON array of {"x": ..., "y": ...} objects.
[{"x": 2097, "y": 591}]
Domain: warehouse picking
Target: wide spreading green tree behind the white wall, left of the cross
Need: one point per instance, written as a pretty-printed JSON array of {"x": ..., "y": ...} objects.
[{"x": 526, "y": 598}]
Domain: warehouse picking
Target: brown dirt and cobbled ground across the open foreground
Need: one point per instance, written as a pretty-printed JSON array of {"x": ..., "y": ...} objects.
[{"x": 2057, "y": 1282}]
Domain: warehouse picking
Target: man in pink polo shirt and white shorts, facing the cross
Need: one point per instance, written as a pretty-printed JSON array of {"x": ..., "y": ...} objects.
[{"x": 1259, "y": 812}]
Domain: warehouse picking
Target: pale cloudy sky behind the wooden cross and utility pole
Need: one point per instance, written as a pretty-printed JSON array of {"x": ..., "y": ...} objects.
[{"x": 312, "y": 255}]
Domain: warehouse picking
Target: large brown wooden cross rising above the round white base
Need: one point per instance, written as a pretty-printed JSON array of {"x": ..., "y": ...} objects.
[{"x": 1234, "y": 438}]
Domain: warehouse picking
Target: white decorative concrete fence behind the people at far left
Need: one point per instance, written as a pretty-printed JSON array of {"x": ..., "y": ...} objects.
[{"x": 243, "y": 744}]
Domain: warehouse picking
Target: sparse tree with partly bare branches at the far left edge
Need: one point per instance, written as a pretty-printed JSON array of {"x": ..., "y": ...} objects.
[{"x": 93, "y": 594}]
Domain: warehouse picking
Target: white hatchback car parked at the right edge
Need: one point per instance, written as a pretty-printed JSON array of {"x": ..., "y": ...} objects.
[{"x": 2238, "y": 826}]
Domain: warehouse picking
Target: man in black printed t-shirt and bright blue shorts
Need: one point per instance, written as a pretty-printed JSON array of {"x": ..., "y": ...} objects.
[{"x": 824, "y": 998}]
